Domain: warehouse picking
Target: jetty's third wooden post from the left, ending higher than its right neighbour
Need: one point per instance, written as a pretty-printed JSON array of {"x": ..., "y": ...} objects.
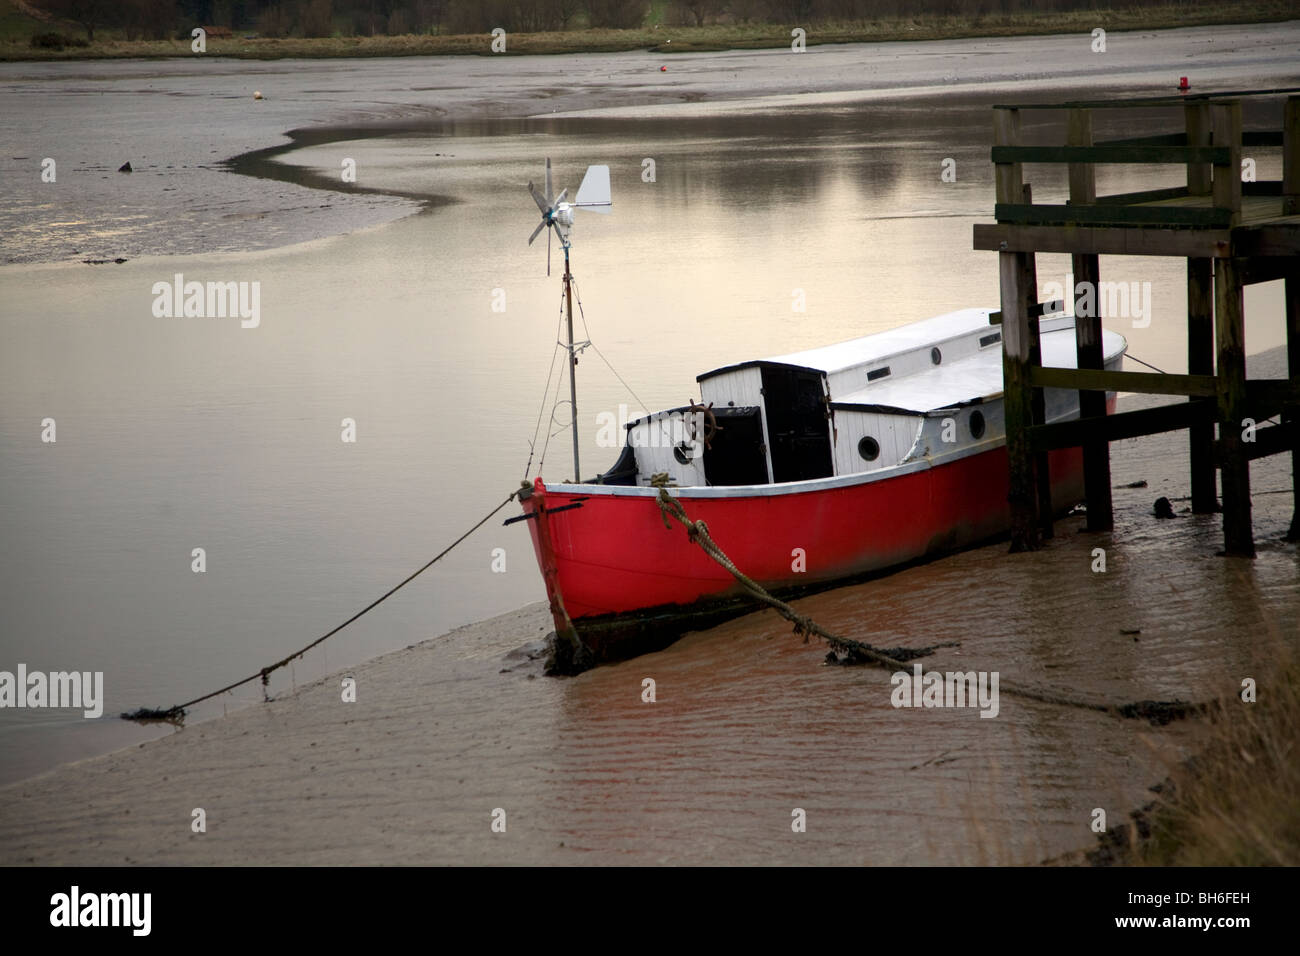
[{"x": 1201, "y": 321}]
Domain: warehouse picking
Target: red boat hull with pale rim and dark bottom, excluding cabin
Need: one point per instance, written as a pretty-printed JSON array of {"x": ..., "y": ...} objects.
[{"x": 631, "y": 585}]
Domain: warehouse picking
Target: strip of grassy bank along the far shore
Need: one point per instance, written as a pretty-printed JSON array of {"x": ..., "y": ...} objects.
[{"x": 16, "y": 32}]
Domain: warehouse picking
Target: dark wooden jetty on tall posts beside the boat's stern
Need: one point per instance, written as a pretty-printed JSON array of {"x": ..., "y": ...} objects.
[{"x": 1232, "y": 235}]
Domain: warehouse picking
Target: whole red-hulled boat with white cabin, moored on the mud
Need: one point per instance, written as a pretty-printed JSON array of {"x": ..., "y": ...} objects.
[{"x": 809, "y": 470}]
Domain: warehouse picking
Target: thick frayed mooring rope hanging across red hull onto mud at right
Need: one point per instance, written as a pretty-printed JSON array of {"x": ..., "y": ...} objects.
[{"x": 895, "y": 659}]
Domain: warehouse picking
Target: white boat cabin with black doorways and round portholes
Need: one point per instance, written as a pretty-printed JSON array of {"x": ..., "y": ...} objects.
[{"x": 926, "y": 390}]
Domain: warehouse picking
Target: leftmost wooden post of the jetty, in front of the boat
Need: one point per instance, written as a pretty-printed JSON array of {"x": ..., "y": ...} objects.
[{"x": 1015, "y": 275}]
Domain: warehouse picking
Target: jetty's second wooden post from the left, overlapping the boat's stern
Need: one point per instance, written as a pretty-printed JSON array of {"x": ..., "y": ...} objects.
[{"x": 1087, "y": 332}]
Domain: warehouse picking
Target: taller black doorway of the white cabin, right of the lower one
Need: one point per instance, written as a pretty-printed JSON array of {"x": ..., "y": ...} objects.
[{"x": 799, "y": 432}]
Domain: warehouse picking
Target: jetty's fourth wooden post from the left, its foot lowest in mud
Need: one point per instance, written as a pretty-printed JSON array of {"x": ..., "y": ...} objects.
[{"x": 1230, "y": 335}]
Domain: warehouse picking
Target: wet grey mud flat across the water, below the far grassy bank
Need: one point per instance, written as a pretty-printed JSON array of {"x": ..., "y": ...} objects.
[{"x": 179, "y": 122}]
